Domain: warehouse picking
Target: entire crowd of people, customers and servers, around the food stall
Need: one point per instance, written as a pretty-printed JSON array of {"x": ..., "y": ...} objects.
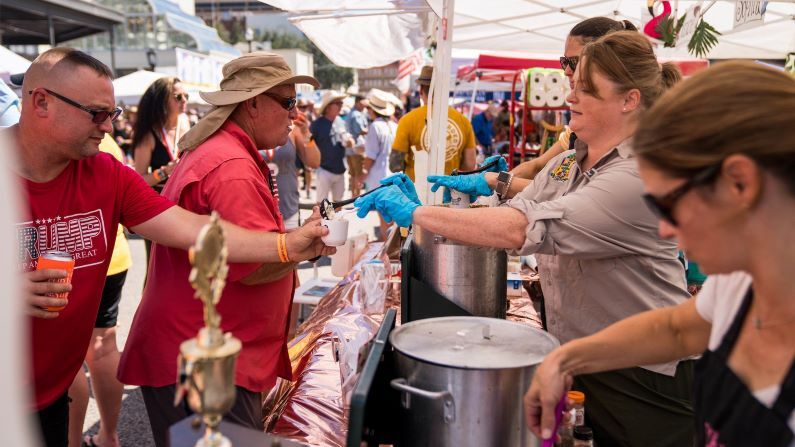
[{"x": 650, "y": 165}]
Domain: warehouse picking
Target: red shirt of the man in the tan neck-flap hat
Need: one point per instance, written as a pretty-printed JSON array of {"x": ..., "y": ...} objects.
[{"x": 224, "y": 174}]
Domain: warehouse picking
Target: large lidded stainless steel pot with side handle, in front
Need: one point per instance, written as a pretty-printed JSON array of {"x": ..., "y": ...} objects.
[{"x": 462, "y": 380}]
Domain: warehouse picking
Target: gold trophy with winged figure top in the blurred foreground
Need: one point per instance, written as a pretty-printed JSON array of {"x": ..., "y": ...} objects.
[{"x": 206, "y": 364}]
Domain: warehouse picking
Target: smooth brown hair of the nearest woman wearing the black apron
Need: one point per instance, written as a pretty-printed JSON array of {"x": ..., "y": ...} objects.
[{"x": 731, "y": 108}]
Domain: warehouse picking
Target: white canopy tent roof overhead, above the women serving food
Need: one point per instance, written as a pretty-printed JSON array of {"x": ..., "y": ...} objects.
[{"x": 368, "y": 33}]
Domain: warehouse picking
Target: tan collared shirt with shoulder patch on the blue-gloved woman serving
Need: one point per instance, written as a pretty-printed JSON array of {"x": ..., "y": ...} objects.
[{"x": 599, "y": 253}]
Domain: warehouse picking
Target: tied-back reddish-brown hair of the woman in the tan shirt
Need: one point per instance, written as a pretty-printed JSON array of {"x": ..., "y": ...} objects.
[{"x": 627, "y": 59}]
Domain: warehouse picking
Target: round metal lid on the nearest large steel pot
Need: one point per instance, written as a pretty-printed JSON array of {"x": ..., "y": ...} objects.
[{"x": 473, "y": 342}]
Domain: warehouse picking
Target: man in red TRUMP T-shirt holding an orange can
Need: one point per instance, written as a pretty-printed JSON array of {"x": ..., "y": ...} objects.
[{"x": 76, "y": 197}]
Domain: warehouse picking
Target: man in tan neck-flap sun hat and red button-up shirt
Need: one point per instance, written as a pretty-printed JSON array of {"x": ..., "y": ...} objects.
[{"x": 222, "y": 170}]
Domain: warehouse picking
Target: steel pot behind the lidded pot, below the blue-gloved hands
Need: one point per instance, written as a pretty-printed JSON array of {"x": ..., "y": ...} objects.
[{"x": 471, "y": 276}]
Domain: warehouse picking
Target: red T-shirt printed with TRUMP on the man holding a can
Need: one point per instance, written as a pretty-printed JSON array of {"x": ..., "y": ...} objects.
[{"x": 79, "y": 211}]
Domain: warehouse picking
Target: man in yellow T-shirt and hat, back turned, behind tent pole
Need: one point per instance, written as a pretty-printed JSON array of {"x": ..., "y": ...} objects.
[{"x": 412, "y": 134}]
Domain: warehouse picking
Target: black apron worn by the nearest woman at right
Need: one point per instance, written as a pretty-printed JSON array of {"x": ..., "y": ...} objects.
[{"x": 727, "y": 413}]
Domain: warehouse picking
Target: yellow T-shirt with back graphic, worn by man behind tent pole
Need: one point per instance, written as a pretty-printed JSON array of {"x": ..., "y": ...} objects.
[{"x": 412, "y": 131}]
